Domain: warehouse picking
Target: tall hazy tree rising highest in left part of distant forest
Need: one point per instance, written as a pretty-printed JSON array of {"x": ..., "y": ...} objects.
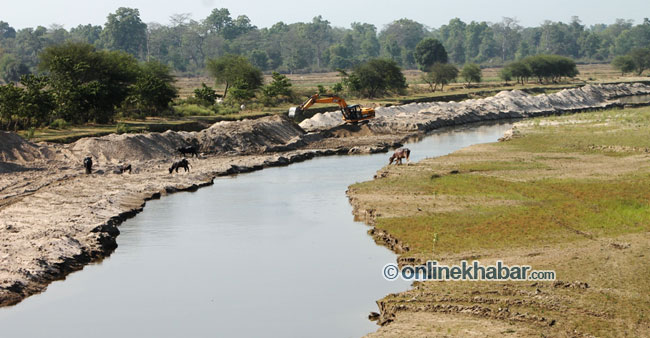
[{"x": 125, "y": 31}]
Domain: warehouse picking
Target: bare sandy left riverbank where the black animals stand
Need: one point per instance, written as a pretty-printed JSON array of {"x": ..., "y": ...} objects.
[{"x": 54, "y": 219}]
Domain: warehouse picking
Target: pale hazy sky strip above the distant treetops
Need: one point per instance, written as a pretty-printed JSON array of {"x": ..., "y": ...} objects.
[{"x": 264, "y": 13}]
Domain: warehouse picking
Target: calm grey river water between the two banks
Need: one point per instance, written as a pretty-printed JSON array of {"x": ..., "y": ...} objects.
[{"x": 273, "y": 253}]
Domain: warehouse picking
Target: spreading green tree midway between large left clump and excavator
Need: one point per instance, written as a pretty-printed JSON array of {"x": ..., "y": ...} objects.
[{"x": 234, "y": 69}]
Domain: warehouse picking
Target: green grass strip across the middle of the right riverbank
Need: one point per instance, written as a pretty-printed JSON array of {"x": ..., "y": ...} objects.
[{"x": 546, "y": 211}]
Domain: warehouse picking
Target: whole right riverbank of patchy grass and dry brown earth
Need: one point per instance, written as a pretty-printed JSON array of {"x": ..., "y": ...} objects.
[{"x": 570, "y": 197}]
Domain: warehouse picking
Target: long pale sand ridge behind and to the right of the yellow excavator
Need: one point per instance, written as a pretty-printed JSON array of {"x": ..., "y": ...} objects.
[{"x": 506, "y": 104}]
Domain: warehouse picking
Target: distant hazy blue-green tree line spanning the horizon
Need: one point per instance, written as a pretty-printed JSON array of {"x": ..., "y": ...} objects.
[{"x": 186, "y": 45}]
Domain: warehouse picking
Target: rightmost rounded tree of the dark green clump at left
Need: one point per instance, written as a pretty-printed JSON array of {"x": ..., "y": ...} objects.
[{"x": 153, "y": 89}]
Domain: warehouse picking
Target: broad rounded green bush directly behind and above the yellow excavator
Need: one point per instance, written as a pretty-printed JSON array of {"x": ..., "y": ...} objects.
[{"x": 376, "y": 77}]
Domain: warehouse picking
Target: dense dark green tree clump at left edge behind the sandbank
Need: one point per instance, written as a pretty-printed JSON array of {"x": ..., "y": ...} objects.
[{"x": 79, "y": 83}]
